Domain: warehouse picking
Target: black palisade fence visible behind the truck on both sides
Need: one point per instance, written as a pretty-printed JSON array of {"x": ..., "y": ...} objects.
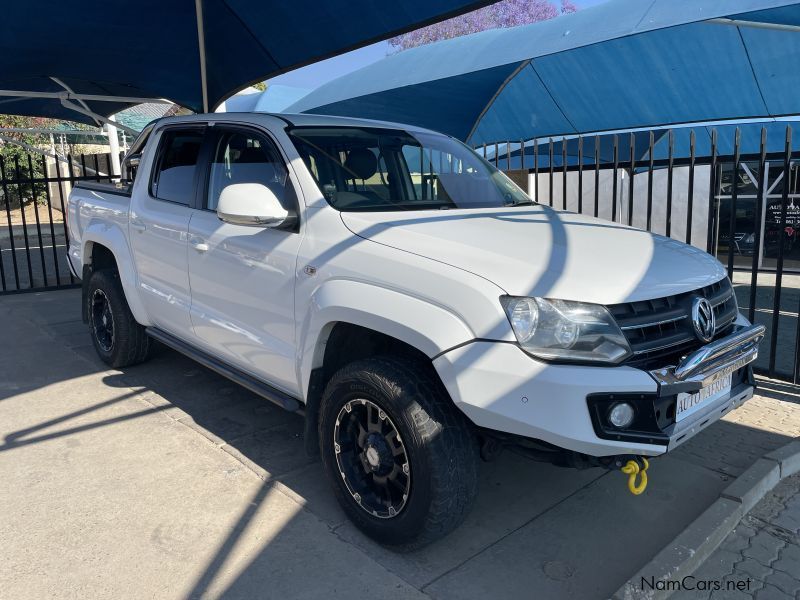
[{"x": 736, "y": 196}]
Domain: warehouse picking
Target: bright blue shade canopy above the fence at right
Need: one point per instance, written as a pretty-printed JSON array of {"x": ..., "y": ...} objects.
[{"x": 621, "y": 65}]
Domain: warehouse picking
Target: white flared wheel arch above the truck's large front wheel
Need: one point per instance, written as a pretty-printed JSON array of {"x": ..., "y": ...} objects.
[{"x": 426, "y": 326}]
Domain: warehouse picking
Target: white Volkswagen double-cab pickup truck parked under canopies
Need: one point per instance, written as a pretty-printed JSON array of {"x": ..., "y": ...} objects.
[{"x": 412, "y": 302}]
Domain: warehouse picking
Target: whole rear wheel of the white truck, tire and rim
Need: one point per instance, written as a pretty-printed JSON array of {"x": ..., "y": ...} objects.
[{"x": 118, "y": 339}]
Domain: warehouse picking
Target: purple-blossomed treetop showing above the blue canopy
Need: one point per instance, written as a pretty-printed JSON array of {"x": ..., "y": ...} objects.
[{"x": 506, "y": 13}]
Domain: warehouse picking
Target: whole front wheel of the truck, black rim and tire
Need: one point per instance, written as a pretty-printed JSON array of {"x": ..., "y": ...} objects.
[{"x": 402, "y": 459}]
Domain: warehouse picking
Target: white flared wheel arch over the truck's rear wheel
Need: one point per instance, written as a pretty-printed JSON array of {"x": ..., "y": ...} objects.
[{"x": 113, "y": 237}]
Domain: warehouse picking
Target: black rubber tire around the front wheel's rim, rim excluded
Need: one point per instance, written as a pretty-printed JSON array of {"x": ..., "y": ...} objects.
[{"x": 439, "y": 440}]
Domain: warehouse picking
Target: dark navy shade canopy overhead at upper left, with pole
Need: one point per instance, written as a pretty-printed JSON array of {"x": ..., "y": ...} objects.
[{"x": 83, "y": 59}]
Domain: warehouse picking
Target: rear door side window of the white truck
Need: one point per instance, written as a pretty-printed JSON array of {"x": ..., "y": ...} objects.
[{"x": 174, "y": 176}]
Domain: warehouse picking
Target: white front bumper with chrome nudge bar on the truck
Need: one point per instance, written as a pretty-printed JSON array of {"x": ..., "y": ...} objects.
[{"x": 499, "y": 387}]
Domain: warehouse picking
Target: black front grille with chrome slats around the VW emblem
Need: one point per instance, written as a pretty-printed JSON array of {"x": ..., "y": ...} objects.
[{"x": 660, "y": 331}]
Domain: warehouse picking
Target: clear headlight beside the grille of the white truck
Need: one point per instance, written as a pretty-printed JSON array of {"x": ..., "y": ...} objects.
[{"x": 566, "y": 330}]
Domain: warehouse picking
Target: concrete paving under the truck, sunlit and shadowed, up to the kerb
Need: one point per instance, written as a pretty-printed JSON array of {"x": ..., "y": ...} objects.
[{"x": 166, "y": 480}]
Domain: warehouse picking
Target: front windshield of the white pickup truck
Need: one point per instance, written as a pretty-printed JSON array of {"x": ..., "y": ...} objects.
[{"x": 372, "y": 169}]
